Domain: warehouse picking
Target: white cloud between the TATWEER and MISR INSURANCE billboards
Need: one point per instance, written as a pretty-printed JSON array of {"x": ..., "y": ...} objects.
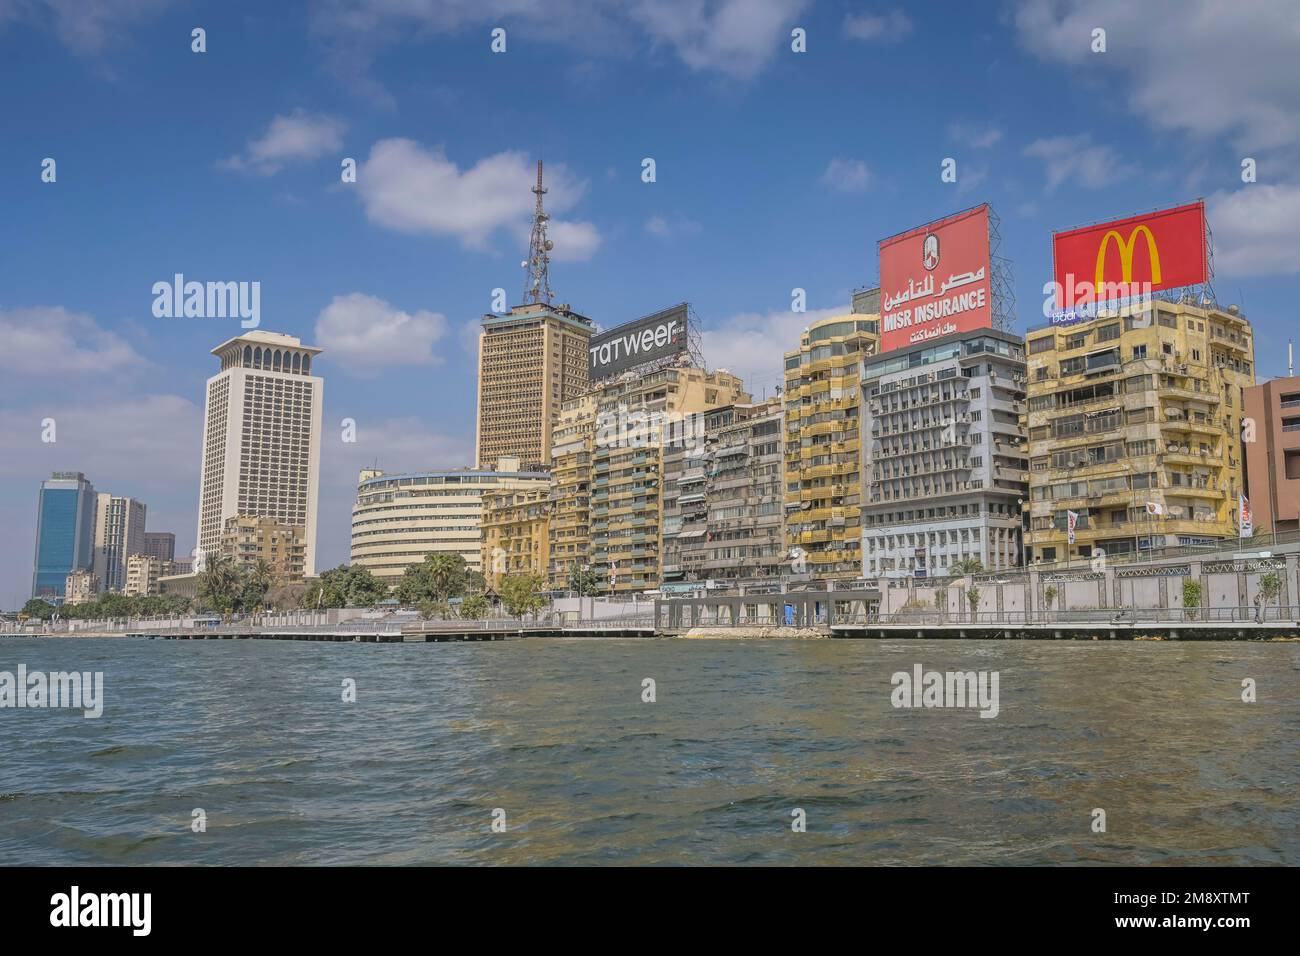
[{"x": 752, "y": 344}]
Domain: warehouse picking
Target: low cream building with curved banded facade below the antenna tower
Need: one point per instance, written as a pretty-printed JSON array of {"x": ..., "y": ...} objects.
[{"x": 398, "y": 520}]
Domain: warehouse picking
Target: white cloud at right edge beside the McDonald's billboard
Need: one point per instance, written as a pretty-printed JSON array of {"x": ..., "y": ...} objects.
[{"x": 1255, "y": 231}]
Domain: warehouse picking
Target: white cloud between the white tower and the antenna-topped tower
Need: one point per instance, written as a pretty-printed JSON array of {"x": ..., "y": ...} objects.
[{"x": 365, "y": 334}]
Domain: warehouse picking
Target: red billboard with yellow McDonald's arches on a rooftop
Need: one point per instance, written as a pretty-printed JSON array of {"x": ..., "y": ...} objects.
[{"x": 1132, "y": 257}]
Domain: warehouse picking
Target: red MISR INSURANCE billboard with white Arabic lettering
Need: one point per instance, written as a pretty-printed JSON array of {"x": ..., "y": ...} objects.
[{"x": 937, "y": 280}]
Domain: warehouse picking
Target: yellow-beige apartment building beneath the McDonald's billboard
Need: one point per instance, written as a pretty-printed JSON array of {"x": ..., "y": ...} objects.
[{"x": 1134, "y": 427}]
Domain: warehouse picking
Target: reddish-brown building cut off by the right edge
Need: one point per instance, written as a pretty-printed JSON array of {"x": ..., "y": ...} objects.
[{"x": 1273, "y": 455}]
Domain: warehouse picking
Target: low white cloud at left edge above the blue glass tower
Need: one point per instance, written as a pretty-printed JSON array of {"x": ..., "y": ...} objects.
[{"x": 49, "y": 340}]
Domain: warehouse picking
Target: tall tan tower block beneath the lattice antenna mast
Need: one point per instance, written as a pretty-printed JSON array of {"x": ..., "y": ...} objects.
[{"x": 531, "y": 361}]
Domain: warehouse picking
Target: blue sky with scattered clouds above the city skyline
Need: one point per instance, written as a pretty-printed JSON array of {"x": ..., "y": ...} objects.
[{"x": 775, "y": 171}]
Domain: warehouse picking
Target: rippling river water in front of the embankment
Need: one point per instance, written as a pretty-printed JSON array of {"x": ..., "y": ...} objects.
[{"x": 556, "y": 734}]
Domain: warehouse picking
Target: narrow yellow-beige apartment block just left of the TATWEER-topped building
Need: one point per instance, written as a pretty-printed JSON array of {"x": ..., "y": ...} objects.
[{"x": 570, "y": 529}]
